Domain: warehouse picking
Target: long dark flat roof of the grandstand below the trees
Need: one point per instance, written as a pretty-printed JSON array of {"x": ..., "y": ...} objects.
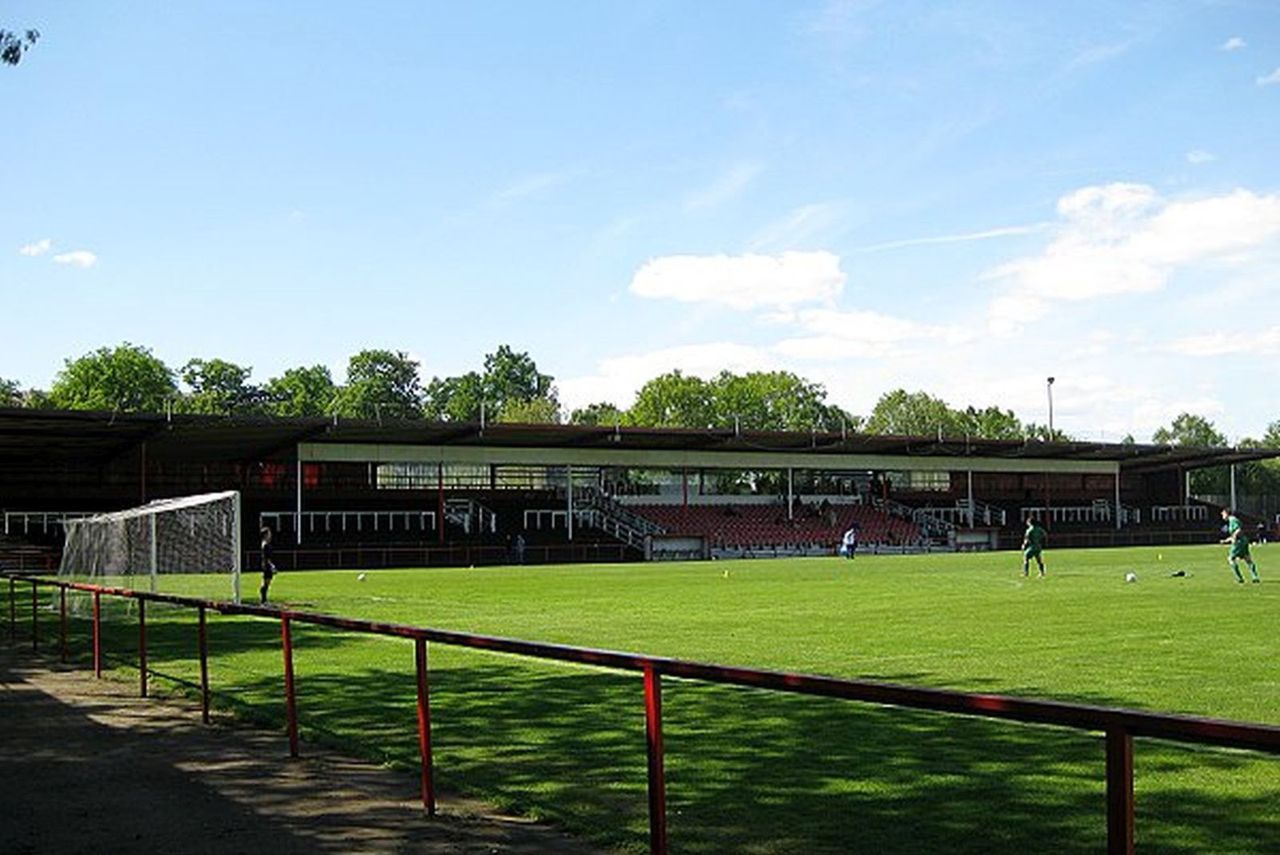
[{"x": 51, "y": 437}]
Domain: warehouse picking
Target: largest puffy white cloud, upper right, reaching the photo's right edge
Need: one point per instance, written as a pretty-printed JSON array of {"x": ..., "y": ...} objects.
[{"x": 1126, "y": 239}]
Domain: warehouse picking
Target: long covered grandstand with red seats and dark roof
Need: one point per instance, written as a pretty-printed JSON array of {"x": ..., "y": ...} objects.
[{"x": 410, "y": 493}]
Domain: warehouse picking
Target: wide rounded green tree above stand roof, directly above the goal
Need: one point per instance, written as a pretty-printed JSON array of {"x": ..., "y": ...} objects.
[{"x": 126, "y": 378}]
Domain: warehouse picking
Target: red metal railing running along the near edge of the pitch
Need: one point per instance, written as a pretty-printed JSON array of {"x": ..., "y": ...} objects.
[{"x": 1119, "y": 726}]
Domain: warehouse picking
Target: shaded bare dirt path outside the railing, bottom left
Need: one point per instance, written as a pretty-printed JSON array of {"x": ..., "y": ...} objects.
[{"x": 89, "y": 767}]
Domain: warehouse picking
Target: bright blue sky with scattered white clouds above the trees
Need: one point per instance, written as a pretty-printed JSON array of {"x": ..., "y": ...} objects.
[{"x": 961, "y": 198}]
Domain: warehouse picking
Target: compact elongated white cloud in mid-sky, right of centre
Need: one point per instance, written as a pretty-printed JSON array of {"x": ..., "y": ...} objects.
[{"x": 743, "y": 282}]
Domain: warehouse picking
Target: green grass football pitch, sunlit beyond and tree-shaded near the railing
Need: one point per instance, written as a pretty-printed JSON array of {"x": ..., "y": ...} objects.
[{"x": 761, "y": 772}]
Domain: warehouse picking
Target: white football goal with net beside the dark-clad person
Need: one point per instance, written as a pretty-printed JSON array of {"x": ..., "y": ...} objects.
[{"x": 189, "y": 546}]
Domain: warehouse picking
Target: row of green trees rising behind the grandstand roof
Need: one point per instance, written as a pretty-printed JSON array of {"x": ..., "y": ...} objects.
[{"x": 510, "y": 388}]
